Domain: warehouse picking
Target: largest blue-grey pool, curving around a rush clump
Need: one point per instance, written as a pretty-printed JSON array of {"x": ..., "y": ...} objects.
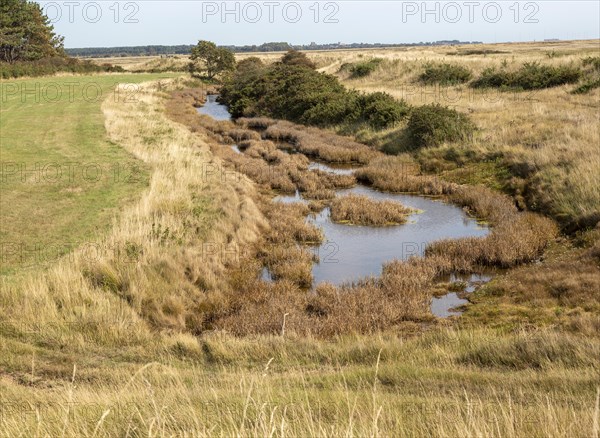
[{"x": 353, "y": 252}]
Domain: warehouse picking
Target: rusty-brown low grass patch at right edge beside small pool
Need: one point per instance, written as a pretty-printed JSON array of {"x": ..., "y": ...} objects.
[{"x": 562, "y": 291}]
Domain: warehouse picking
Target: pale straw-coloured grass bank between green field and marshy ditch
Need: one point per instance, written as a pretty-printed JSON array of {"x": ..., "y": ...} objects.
[{"x": 165, "y": 264}]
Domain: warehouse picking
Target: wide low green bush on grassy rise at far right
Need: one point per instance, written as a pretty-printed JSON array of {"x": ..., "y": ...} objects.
[{"x": 531, "y": 76}]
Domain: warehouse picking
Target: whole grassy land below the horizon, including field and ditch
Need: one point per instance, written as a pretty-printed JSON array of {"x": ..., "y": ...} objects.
[{"x": 397, "y": 241}]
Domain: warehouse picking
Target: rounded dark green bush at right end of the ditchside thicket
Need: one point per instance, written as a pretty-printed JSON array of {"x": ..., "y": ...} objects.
[{"x": 432, "y": 125}]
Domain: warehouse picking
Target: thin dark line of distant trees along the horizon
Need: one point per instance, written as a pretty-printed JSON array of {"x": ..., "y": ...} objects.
[{"x": 105, "y": 52}]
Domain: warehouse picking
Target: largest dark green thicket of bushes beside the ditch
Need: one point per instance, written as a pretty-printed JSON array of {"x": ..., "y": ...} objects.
[{"x": 298, "y": 93}]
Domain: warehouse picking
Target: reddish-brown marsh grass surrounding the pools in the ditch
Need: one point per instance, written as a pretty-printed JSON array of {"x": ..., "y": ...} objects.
[{"x": 402, "y": 294}]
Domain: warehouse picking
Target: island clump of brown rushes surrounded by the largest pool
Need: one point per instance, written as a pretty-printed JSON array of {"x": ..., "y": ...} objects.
[{"x": 361, "y": 210}]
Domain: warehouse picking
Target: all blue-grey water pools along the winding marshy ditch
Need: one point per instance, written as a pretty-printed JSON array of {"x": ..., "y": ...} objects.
[{"x": 350, "y": 253}]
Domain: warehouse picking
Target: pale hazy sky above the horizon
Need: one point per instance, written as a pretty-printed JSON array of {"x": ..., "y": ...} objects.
[{"x": 123, "y": 23}]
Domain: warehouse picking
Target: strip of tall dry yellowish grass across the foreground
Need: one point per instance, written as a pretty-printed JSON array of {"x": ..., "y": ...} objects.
[{"x": 444, "y": 384}]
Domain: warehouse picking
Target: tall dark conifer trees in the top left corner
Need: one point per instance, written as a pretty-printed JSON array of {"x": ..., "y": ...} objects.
[{"x": 26, "y": 33}]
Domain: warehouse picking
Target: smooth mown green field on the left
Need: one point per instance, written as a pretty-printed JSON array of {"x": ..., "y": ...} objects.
[{"x": 62, "y": 180}]
